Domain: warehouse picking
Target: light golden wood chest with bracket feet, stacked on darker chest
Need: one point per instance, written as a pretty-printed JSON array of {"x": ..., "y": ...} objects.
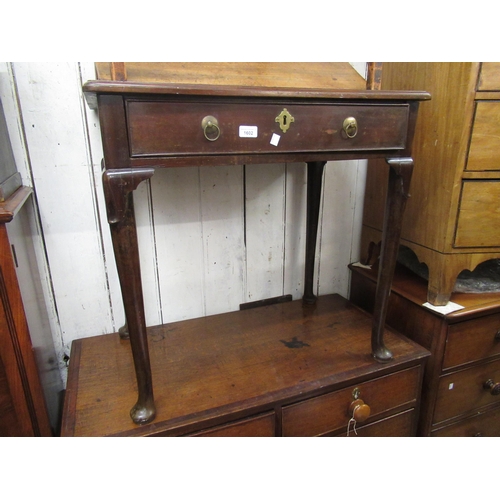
[{"x": 453, "y": 213}]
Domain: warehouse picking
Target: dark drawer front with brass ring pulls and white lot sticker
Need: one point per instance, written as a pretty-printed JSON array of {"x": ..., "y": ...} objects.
[{"x": 164, "y": 128}]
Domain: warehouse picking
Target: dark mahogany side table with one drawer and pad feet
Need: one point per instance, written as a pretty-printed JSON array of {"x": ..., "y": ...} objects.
[{"x": 152, "y": 125}]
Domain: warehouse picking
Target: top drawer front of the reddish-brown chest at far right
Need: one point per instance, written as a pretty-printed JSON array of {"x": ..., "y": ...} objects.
[{"x": 472, "y": 340}]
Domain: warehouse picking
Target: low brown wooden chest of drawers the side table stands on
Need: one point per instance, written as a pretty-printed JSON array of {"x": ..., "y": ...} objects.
[{"x": 282, "y": 370}]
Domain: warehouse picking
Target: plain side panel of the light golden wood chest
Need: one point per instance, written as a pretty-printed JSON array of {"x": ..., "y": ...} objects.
[{"x": 438, "y": 143}]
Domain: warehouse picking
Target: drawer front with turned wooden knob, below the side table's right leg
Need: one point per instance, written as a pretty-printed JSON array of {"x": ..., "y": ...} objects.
[{"x": 330, "y": 412}]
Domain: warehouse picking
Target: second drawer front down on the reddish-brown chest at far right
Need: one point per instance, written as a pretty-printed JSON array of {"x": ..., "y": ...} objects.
[{"x": 464, "y": 391}]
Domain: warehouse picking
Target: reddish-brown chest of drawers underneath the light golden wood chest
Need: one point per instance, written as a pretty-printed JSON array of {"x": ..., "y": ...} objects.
[{"x": 461, "y": 391}]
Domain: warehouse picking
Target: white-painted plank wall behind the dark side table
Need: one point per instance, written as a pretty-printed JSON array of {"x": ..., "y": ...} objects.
[{"x": 196, "y": 258}]
